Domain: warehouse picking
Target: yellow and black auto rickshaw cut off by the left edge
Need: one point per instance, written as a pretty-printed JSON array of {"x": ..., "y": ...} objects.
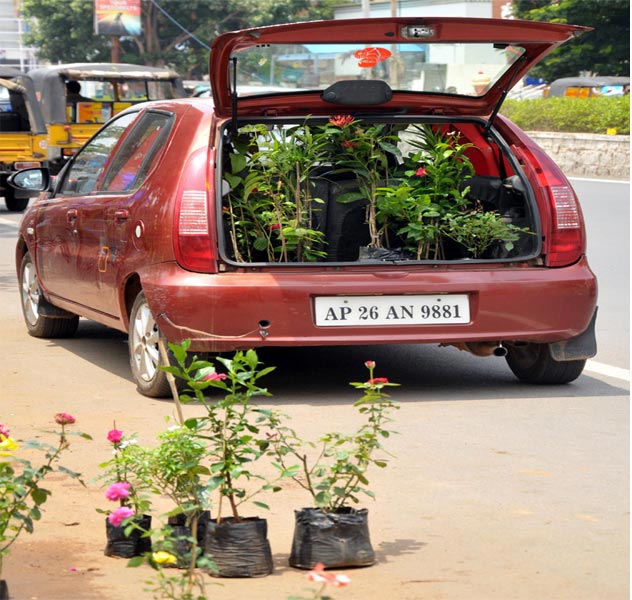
[{"x": 22, "y": 133}]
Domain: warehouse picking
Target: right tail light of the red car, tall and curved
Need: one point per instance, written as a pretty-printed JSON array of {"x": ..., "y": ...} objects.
[{"x": 564, "y": 234}]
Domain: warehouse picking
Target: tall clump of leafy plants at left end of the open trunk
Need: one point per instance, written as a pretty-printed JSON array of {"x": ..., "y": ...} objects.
[{"x": 271, "y": 208}]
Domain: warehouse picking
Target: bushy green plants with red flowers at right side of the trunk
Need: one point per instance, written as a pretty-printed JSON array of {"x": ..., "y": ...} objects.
[{"x": 431, "y": 202}]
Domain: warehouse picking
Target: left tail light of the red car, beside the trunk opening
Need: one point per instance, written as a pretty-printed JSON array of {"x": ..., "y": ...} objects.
[{"x": 193, "y": 240}]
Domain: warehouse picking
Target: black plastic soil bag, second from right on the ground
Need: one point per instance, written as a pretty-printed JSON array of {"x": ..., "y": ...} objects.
[{"x": 239, "y": 549}]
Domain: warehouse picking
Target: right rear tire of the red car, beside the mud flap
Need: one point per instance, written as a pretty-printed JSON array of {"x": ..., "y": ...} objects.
[{"x": 533, "y": 363}]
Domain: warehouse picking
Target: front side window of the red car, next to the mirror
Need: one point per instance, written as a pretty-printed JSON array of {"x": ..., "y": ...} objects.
[{"x": 84, "y": 172}]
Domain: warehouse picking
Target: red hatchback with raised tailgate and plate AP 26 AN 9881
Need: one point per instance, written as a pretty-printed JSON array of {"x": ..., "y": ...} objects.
[{"x": 349, "y": 182}]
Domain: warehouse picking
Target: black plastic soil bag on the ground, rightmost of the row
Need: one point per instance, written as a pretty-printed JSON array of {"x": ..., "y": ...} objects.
[{"x": 338, "y": 539}]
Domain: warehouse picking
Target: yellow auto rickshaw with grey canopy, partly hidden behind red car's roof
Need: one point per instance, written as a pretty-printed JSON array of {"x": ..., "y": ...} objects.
[{"x": 106, "y": 90}]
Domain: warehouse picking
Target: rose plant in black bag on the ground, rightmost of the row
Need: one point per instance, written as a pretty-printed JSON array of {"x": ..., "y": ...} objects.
[{"x": 333, "y": 471}]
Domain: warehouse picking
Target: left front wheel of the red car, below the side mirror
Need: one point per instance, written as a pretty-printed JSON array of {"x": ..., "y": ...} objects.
[{"x": 37, "y": 324}]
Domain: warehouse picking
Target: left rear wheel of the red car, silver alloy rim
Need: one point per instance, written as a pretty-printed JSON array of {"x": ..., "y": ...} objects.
[{"x": 144, "y": 352}]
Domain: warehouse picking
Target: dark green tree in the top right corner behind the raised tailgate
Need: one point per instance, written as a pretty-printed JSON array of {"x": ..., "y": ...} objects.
[{"x": 603, "y": 51}]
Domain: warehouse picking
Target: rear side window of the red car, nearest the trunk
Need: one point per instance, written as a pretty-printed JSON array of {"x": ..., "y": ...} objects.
[{"x": 138, "y": 153}]
